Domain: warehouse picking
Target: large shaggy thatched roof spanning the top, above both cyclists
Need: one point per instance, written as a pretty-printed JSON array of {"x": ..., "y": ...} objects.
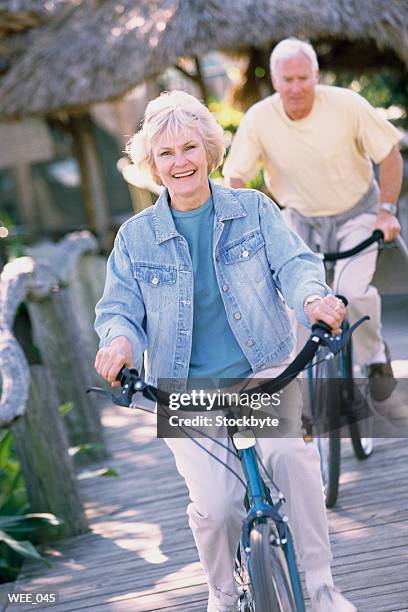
[{"x": 103, "y": 48}]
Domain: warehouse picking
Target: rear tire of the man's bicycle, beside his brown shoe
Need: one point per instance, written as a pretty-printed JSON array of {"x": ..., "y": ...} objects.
[{"x": 361, "y": 431}]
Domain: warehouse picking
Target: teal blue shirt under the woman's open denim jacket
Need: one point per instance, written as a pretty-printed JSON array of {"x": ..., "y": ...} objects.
[{"x": 215, "y": 352}]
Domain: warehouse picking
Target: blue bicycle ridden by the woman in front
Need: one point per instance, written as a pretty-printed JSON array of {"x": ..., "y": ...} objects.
[{"x": 265, "y": 568}]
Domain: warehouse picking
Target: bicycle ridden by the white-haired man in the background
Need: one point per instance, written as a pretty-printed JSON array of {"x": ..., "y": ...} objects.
[{"x": 332, "y": 383}]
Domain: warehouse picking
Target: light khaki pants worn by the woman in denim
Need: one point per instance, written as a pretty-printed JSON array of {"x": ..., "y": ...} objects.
[{"x": 216, "y": 510}]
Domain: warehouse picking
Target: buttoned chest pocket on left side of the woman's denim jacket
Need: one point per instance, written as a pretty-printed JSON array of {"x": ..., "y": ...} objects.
[{"x": 157, "y": 284}]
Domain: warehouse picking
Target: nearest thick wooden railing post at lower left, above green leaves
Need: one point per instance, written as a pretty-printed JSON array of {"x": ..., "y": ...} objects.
[{"x": 42, "y": 449}]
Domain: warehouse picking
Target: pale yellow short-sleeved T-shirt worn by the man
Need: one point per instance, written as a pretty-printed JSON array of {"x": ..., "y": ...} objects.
[{"x": 319, "y": 165}]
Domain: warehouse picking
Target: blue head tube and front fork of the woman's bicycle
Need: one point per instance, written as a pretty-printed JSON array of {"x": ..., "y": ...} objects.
[{"x": 262, "y": 508}]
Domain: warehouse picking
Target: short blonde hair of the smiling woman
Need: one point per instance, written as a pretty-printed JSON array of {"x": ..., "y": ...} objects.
[{"x": 169, "y": 114}]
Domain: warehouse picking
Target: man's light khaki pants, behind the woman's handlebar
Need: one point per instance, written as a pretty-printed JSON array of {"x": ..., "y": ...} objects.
[{"x": 352, "y": 278}]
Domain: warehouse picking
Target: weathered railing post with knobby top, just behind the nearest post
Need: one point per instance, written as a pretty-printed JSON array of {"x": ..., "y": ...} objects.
[{"x": 62, "y": 321}]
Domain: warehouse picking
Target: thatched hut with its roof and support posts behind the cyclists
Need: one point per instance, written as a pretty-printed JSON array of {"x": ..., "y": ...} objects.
[{"x": 65, "y": 55}]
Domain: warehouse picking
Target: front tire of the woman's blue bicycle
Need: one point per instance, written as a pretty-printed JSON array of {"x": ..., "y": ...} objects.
[{"x": 270, "y": 580}]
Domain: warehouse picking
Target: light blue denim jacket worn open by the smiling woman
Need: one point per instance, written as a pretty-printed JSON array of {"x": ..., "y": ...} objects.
[{"x": 260, "y": 264}]
